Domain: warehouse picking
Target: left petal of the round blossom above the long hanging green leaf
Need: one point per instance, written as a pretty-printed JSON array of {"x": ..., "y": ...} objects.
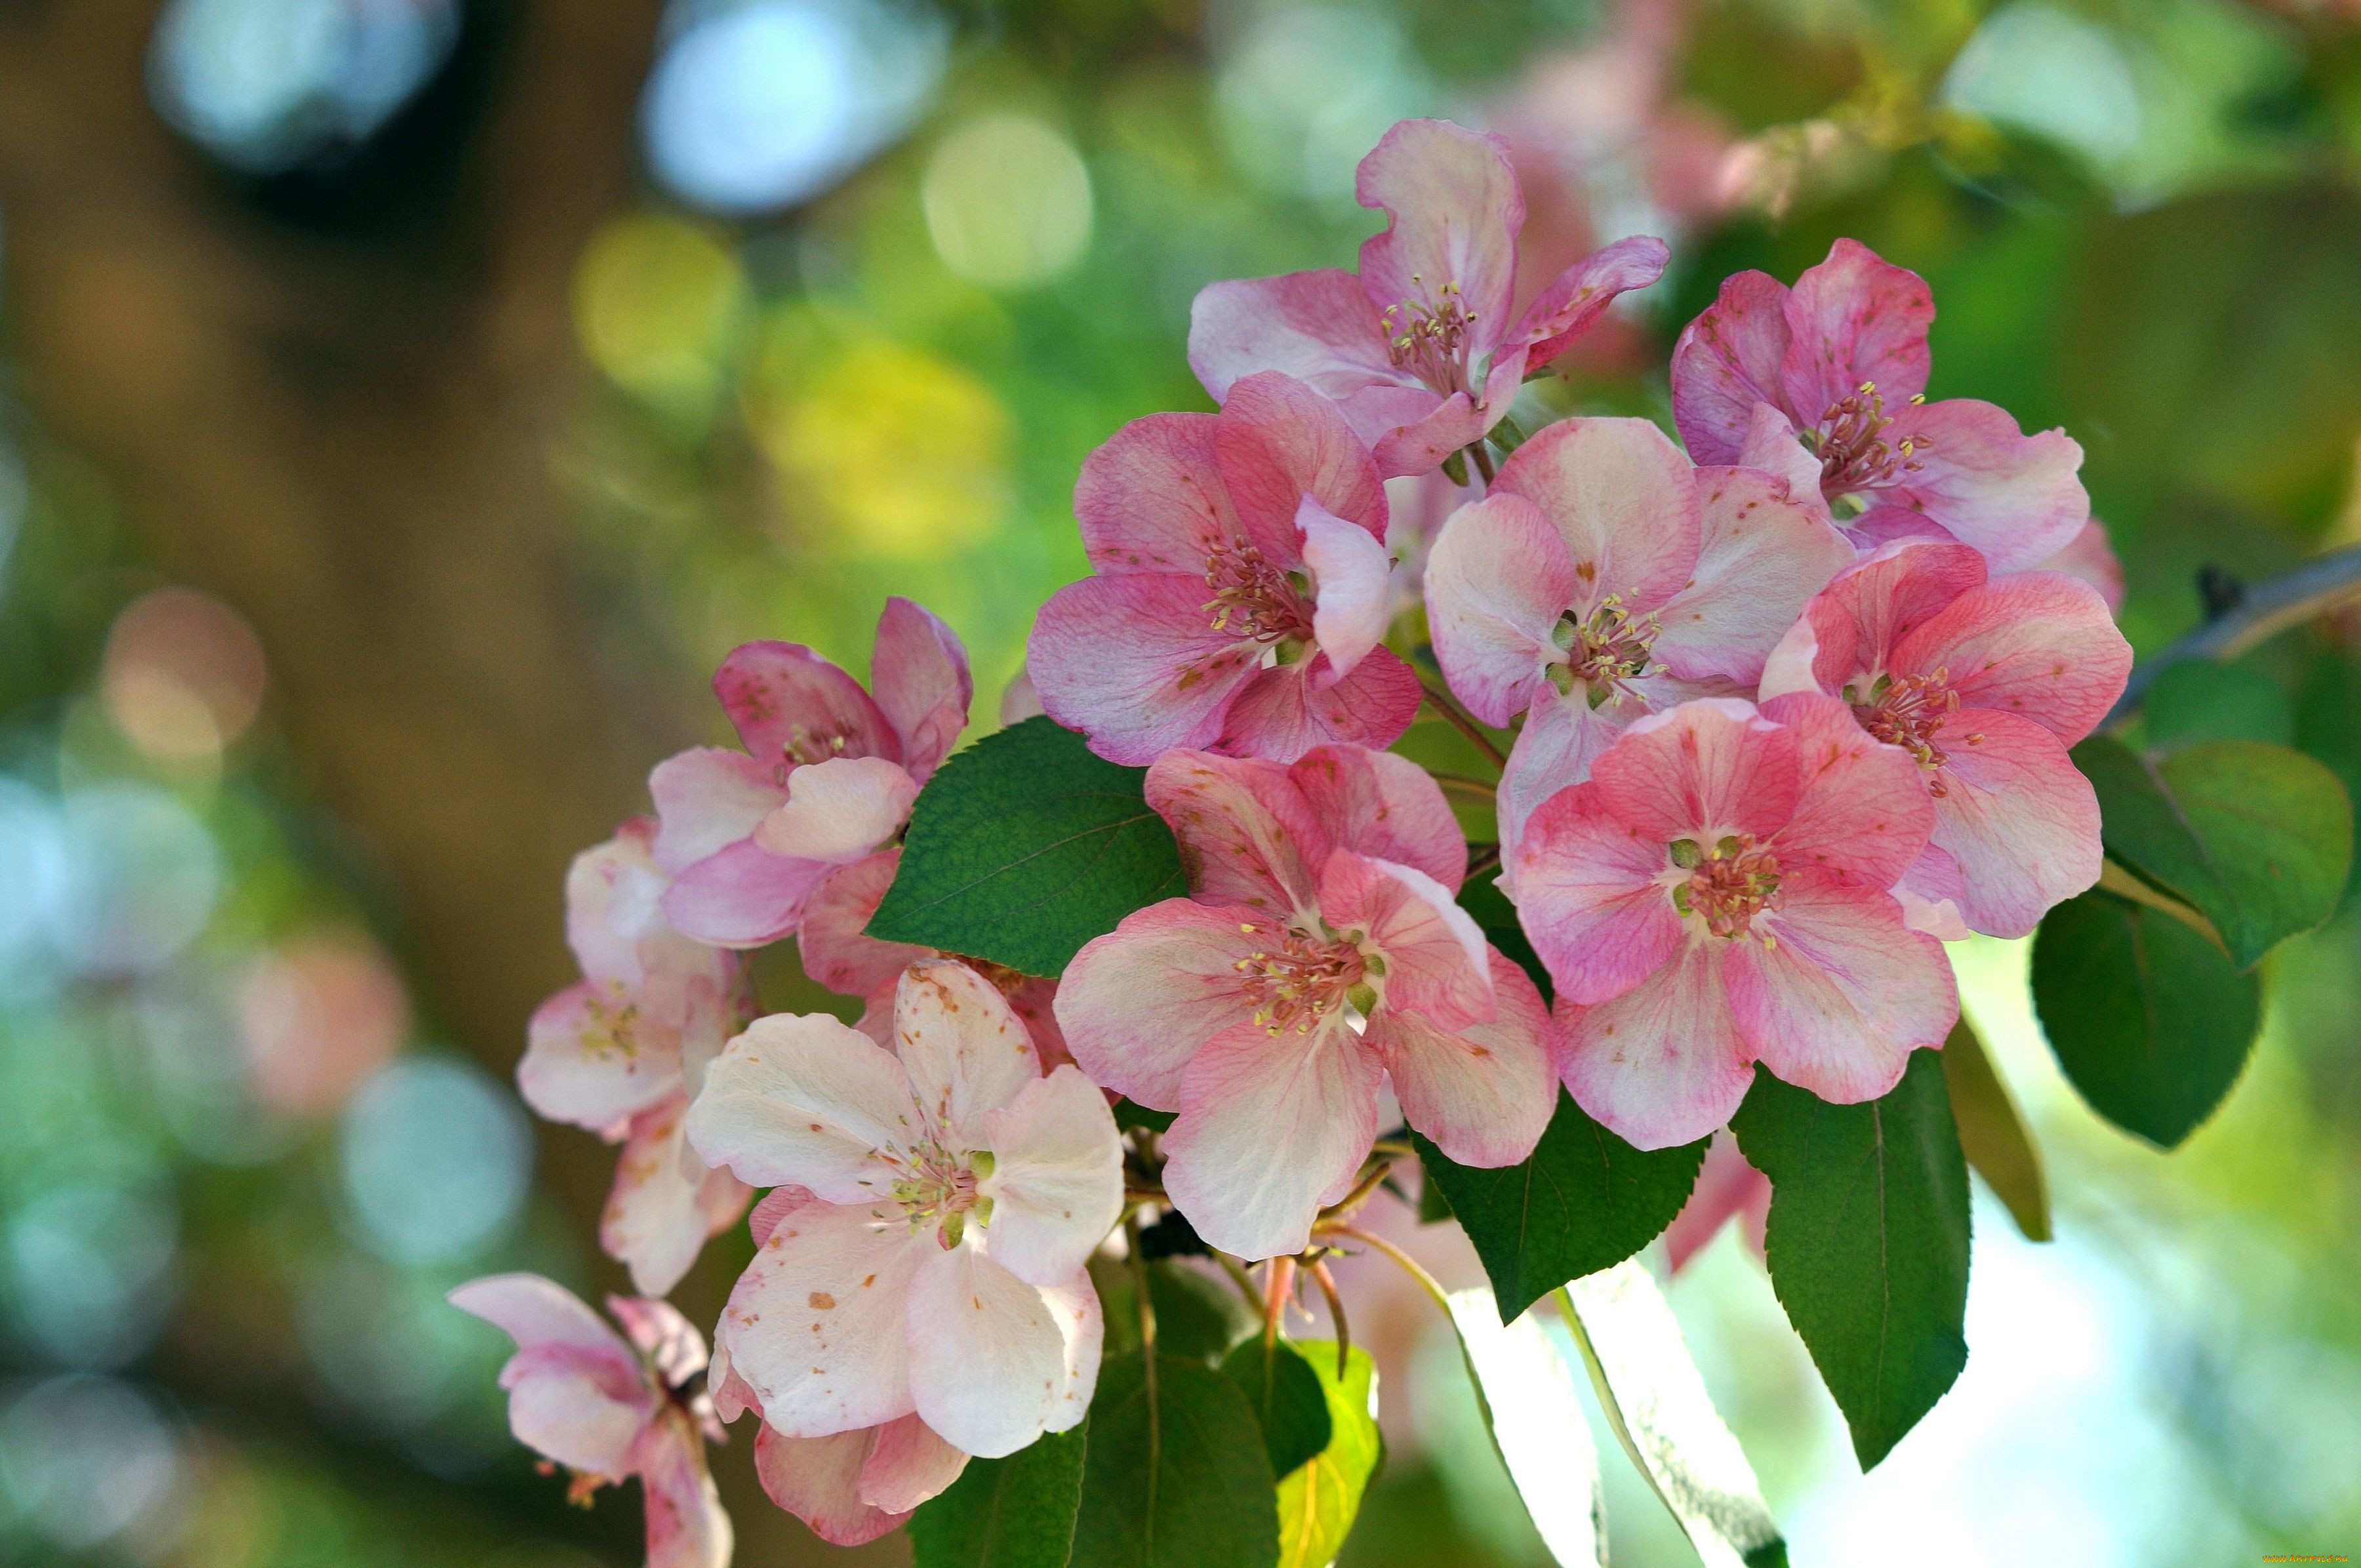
[{"x": 1595, "y": 899}]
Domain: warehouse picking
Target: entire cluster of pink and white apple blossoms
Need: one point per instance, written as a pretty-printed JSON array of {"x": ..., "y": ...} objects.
[{"x": 1786, "y": 705}]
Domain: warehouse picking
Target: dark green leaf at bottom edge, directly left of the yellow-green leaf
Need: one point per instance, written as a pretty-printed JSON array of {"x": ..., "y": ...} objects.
[{"x": 1177, "y": 1475}]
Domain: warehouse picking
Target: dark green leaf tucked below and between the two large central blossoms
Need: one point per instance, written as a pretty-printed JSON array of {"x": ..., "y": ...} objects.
[{"x": 1585, "y": 1201}]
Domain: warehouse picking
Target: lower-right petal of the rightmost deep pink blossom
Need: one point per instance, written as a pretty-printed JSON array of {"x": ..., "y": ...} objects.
[{"x": 2020, "y": 821}]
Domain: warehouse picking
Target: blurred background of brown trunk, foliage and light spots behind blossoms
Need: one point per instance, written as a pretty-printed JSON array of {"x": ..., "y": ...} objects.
[{"x": 405, "y": 405}]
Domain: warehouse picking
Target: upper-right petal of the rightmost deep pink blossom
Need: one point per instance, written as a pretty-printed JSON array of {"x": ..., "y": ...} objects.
[{"x": 2036, "y": 643}]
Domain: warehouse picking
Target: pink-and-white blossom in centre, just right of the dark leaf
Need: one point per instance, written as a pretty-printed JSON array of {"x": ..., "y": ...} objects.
[{"x": 1319, "y": 962}]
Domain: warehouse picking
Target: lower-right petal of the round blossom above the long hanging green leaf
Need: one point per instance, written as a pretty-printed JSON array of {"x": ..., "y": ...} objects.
[{"x": 1845, "y": 995}]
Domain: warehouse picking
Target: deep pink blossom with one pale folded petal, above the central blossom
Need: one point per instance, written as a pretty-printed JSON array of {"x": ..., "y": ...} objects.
[{"x": 1241, "y": 587}]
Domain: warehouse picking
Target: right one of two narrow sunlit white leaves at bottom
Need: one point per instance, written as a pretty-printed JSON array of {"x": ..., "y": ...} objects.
[{"x": 1654, "y": 1394}]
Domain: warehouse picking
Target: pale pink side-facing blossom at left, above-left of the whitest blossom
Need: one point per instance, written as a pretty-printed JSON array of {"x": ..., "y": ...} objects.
[{"x": 624, "y": 1052}]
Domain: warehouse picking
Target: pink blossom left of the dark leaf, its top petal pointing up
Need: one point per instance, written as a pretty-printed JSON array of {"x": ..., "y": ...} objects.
[{"x": 828, "y": 776}]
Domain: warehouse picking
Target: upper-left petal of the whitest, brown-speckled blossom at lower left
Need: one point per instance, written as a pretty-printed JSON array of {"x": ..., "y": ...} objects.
[{"x": 804, "y": 1102}]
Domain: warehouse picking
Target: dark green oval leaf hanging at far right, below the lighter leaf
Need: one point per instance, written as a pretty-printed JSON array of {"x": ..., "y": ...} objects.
[{"x": 2145, "y": 1017}]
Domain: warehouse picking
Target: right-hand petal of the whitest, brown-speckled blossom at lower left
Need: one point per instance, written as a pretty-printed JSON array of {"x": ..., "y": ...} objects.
[{"x": 1059, "y": 1177}]
